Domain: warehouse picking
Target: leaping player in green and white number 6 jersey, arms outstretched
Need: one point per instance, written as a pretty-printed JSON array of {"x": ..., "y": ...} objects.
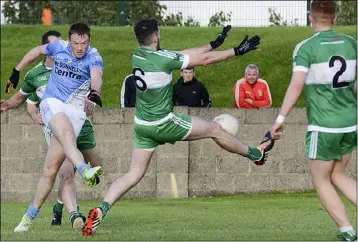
[{"x": 155, "y": 122}]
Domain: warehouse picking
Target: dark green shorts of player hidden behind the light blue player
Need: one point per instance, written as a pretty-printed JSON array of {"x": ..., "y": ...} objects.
[{"x": 85, "y": 140}]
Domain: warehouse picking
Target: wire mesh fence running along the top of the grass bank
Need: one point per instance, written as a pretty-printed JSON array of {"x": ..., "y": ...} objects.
[{"x": 172, "y": 13}]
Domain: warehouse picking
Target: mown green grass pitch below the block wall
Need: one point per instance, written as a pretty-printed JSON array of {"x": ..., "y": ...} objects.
[{"x": 294, "y": 216}]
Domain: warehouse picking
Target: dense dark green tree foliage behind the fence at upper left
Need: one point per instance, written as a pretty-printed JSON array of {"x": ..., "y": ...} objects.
[{"x": 92, "y": 12}]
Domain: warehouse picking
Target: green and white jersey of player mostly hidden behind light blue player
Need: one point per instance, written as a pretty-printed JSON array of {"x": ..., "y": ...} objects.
[{"x": 35, "y": 82}]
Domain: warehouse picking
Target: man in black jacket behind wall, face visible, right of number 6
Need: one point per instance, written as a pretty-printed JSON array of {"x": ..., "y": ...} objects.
[{"x": 188, "y": 91}]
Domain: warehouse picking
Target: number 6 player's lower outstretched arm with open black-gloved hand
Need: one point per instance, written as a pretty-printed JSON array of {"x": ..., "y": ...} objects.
[{"x": 216, "y": 56}]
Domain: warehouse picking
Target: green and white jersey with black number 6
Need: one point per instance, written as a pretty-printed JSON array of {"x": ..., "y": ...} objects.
[{"x": 153, "y": 76}]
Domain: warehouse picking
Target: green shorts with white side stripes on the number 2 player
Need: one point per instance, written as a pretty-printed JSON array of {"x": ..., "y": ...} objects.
[{"x": 329, "y": 146}]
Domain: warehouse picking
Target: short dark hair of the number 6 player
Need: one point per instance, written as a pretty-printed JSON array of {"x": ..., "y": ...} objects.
[{"x": 144, "y": 28}]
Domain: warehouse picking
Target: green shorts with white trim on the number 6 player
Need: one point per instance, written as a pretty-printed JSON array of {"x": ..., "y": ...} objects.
[{"x": 149, "y": 135}]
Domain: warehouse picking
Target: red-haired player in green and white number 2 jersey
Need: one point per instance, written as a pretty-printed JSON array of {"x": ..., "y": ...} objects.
[{"x": 325, "y": 65}]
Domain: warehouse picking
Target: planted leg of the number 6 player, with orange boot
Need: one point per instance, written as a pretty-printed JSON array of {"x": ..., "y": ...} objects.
[{"x": 140, "y": 160}]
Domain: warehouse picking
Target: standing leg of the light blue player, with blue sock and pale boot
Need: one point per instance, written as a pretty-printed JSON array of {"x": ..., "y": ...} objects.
[{"x": 54, "y": 159}]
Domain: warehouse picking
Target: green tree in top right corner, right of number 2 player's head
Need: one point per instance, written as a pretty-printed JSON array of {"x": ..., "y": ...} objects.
[{"x": 347, "y": 13}]
